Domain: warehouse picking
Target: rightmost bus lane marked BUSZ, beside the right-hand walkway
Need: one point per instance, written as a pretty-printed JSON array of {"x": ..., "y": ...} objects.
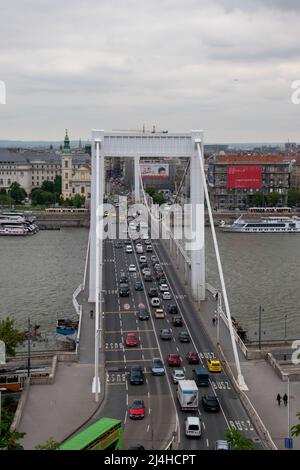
[{"x": 236, "y": 416}]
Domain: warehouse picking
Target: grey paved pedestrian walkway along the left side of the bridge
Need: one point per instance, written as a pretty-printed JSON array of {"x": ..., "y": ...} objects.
[{"x": 57, "y": 410}]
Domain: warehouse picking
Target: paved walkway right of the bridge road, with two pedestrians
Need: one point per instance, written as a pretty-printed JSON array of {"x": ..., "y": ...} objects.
[{"x": 262, "y": 381}]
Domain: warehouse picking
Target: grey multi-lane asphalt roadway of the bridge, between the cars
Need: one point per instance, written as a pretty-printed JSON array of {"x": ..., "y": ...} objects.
[{"x": 159, "y": 393}]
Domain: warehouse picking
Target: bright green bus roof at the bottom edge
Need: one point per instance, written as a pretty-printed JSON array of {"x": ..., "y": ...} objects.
[{"x": 104, "y": 434}]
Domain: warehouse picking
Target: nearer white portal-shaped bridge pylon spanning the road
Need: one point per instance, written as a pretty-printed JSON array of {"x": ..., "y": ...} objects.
[{"x": 136, "y": 146}]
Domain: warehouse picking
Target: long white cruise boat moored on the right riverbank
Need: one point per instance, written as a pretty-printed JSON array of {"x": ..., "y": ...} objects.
[{"x": 263, "y": 225}]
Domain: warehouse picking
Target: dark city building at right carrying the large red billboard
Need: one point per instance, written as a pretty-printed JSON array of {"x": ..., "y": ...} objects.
[{"x": 234, "y": 179}]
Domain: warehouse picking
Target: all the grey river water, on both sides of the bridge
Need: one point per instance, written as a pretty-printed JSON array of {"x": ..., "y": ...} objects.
[{"x": 38, "y": 275}]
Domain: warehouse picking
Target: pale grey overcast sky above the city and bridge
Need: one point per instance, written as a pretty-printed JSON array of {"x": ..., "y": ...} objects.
[{"x": 225, "y": 66}]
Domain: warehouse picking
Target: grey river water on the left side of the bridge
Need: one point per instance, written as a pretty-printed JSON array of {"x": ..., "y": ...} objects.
[{"x": 38, "y": 275}]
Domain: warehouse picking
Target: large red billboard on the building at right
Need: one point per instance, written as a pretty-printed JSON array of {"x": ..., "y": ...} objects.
[{"x": 244, "y": 177}]
